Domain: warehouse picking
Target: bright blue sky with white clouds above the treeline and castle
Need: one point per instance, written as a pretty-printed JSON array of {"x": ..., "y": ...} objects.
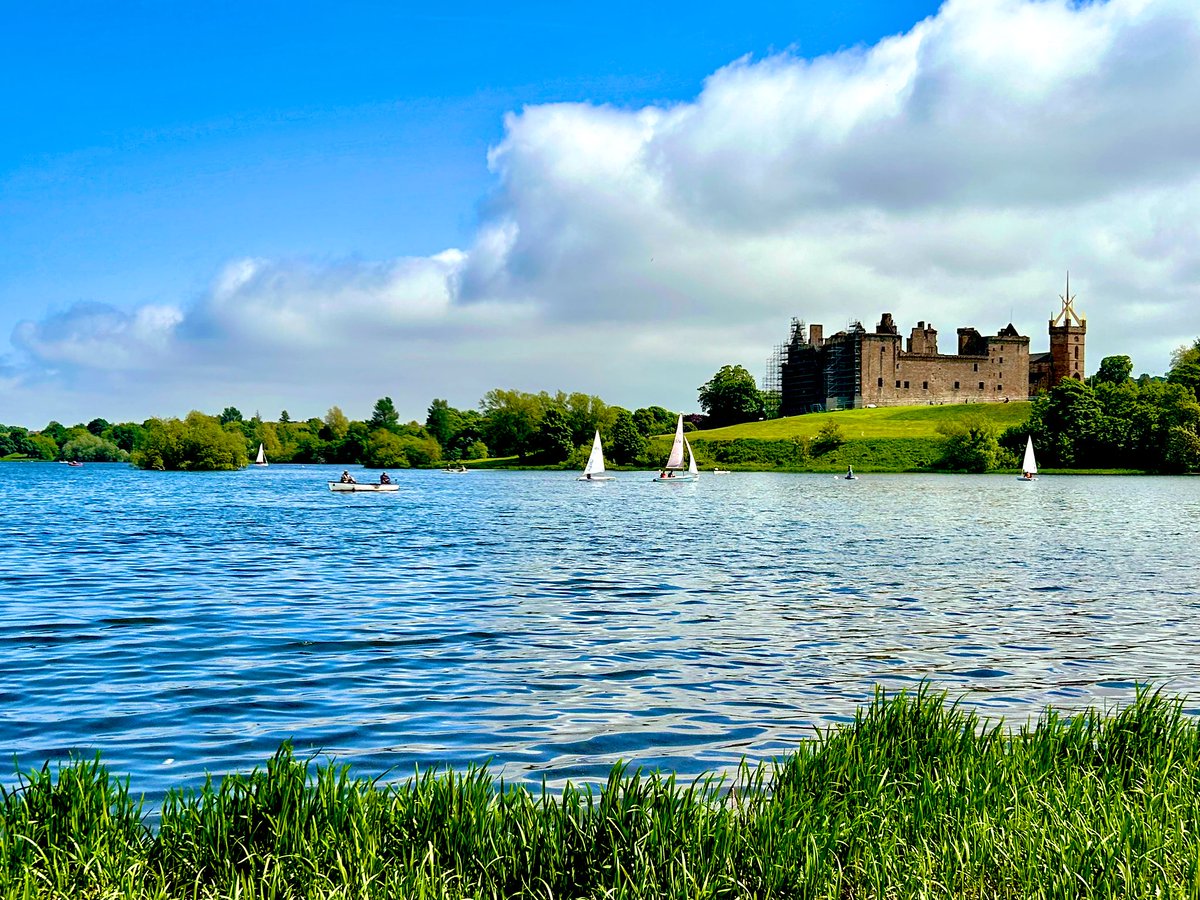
[{"x": 287, "y": 207}]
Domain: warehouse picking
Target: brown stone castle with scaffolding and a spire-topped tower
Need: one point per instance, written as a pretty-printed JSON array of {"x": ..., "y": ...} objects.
[{"x": 857, "y": 368}]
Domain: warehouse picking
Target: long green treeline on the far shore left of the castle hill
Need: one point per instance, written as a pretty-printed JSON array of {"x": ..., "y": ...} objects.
[{"x": 537, "y": 429}]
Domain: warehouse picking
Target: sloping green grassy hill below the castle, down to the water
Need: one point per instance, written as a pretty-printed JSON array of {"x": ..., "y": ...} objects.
[{"x": 885, "y": 440}]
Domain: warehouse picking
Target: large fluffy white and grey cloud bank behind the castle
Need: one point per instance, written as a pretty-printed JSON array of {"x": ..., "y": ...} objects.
[{"x": 951, "y": 173}]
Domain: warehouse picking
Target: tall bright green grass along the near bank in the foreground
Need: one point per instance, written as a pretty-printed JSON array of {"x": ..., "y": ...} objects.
[{"x": 916, "y": 799}]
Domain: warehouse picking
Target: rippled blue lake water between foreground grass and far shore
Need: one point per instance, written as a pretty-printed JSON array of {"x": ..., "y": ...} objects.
[{"x": 181, "y": 623}]
